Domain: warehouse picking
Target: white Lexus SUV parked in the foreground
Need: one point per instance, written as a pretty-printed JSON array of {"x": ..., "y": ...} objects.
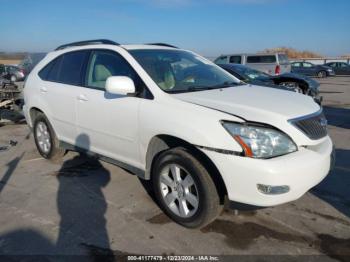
[{"x": 175, "y": 118}]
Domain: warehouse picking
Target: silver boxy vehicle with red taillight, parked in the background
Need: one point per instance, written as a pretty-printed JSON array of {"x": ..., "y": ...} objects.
[{"x": 273, "y": 64}]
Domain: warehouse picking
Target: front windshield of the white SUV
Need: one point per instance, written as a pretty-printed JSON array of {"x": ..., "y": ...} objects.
[{"x": 176, "y": 71}]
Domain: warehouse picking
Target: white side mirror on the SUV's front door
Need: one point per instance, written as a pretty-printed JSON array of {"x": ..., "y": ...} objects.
[{"x": 120, "y": 85}]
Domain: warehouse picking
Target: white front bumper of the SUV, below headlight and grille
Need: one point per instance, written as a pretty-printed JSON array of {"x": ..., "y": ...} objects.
[{"x": 300, "y": 171}]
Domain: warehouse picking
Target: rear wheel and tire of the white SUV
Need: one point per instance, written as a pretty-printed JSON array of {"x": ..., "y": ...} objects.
[{"x": 46, "y": 140}]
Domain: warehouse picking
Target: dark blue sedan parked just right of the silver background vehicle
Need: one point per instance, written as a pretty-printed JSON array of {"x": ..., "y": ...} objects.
[{"x": 310, "y": 69}]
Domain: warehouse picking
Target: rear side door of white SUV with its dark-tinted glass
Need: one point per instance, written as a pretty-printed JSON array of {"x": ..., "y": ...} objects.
[{"x": 62, "y": 78}]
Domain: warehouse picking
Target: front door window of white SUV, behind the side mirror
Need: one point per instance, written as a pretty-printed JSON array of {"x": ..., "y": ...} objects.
[{"x": 104, "y": 64}]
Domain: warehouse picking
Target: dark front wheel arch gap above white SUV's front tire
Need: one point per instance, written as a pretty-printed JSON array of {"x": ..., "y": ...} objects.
[{"x": 160, "y": 143}]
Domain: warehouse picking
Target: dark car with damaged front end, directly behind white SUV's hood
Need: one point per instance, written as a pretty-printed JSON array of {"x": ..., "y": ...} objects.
[{"x": 293, "y": 82}]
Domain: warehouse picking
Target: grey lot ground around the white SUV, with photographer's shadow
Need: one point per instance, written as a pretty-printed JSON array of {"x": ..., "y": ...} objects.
[{"x": 82, "y": 206}]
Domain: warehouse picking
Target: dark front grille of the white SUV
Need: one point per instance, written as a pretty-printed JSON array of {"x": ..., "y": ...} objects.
[{"x": 314, "y": 126}]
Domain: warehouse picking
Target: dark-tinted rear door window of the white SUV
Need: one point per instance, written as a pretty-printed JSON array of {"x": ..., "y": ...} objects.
[{"x": 72, "y": 68}]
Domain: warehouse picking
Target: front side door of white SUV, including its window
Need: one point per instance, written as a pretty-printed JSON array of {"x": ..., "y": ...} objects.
[{"x": 109, "y": 121}]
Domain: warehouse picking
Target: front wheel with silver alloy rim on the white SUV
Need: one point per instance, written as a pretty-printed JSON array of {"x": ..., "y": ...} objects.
[{"x": 184, "y": 189}]
